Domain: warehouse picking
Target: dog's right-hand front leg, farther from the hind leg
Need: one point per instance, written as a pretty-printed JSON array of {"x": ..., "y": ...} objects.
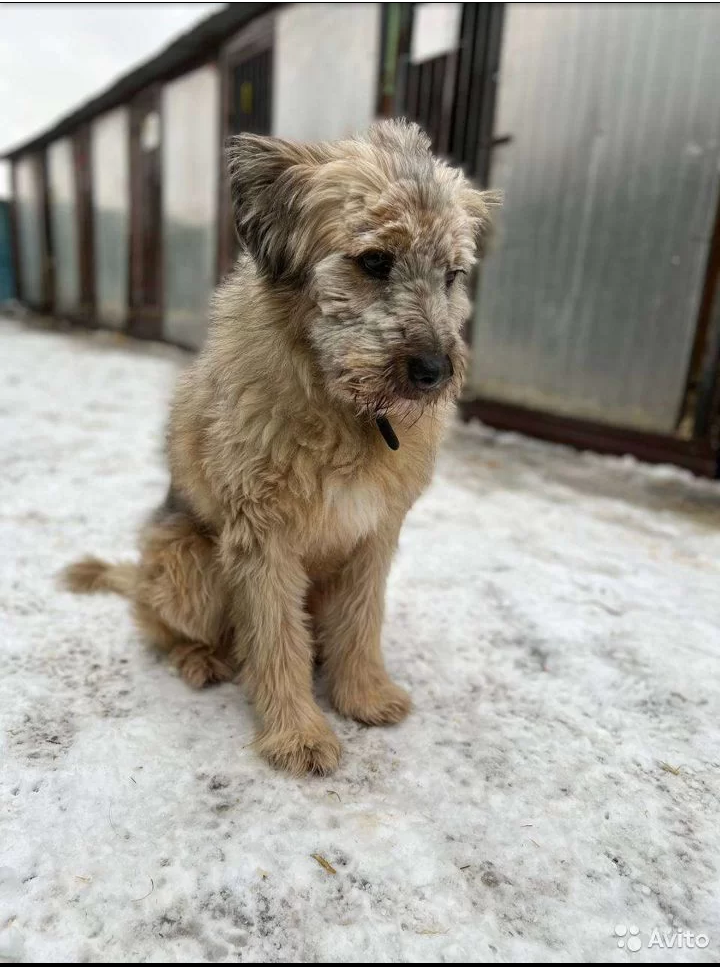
[{"x": 349, "y": 617}]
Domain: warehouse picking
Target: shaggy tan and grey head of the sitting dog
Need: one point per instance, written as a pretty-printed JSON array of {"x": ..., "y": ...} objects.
[{"x": 381, "y": 236}]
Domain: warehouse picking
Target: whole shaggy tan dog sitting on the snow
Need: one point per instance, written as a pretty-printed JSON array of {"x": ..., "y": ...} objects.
[{"x": 306, "y": 429}]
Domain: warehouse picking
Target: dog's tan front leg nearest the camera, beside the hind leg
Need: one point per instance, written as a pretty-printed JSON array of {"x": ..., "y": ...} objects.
[{"x": 273, "y": 640}]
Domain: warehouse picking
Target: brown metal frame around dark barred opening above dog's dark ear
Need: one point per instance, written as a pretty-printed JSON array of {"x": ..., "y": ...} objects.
[{"x": 257, "y": 37}]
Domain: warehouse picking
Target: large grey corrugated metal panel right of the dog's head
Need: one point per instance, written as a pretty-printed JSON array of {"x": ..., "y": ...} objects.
[{"x": 588, "y": 306}]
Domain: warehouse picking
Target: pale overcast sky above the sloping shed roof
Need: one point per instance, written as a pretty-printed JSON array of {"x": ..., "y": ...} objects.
[{"x": 54, "y": 56}]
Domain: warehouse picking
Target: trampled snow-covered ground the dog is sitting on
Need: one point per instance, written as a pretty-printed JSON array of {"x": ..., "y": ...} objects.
[{"x": 555, "y": 616}]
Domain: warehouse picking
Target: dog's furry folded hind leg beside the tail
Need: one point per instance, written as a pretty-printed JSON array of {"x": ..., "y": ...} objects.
[{"x": 180, "y": 603}]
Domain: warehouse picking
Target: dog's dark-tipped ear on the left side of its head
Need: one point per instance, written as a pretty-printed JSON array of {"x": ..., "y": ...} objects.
[{"x": 268, "y": 180}]
